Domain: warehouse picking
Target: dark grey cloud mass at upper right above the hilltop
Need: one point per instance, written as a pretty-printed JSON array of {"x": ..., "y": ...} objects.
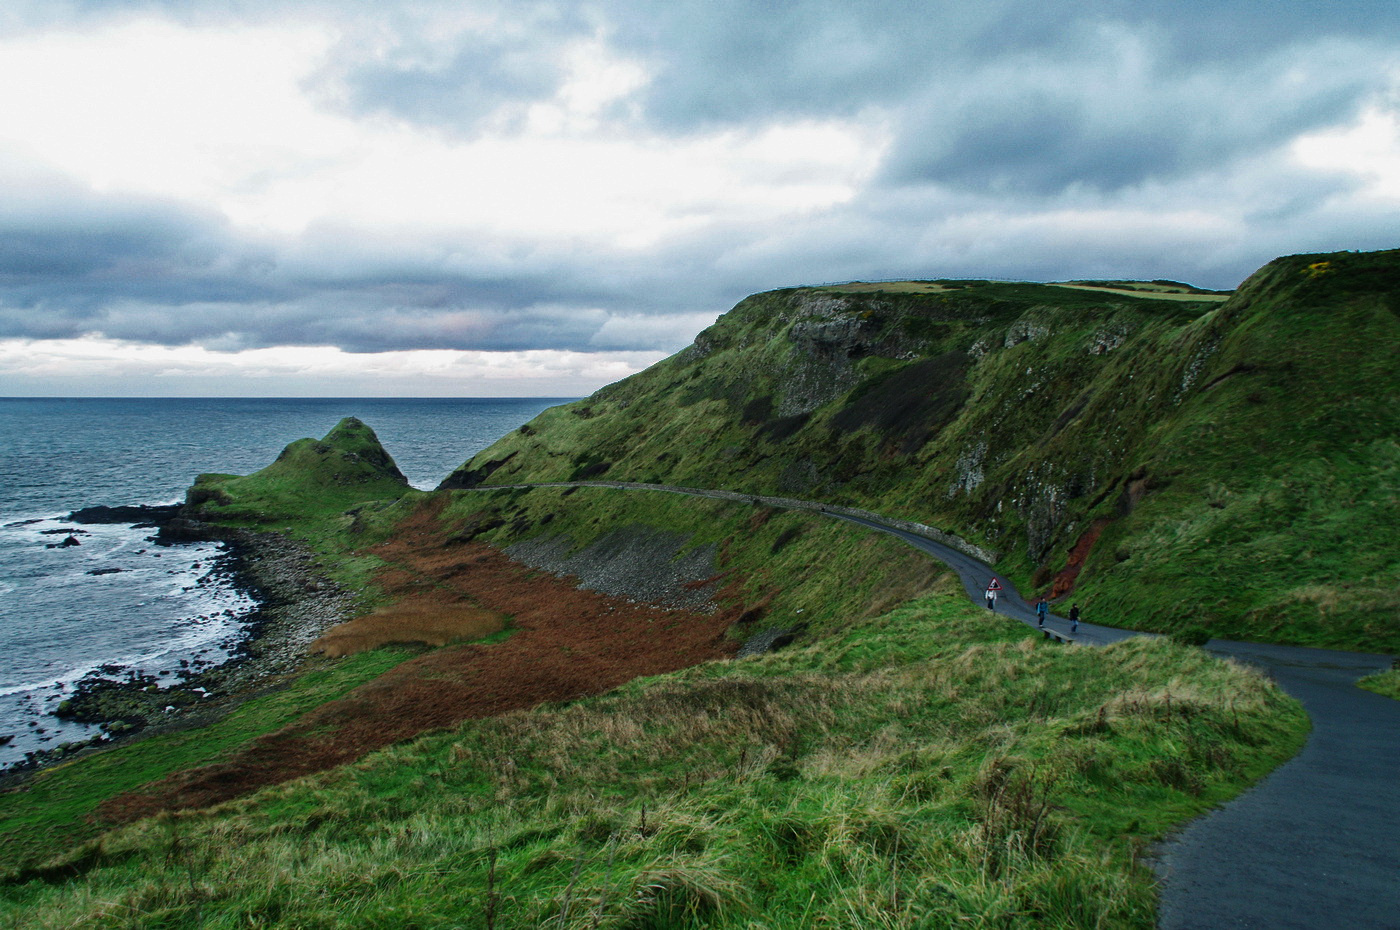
[{"x": 1107, "y": 121}]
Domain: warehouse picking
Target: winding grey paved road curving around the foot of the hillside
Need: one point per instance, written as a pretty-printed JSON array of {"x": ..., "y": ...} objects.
[{"x": 1314, "y": 847}]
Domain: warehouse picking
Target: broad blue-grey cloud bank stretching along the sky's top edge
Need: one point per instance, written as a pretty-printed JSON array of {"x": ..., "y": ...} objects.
[{"x": 996, "y": 93}]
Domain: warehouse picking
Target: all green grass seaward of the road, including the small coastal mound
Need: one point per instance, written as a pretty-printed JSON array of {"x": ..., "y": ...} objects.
[{"x": 918, "y": 763}]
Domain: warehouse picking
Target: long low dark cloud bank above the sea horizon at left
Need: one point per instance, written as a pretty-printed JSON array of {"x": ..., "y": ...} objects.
[{"x": 155, "y": 272}]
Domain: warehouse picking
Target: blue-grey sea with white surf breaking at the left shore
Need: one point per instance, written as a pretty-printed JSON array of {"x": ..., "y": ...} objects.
[{"x": 115, "y": 603}]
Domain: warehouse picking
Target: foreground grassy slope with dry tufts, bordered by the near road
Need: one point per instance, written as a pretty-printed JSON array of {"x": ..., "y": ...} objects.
[{"x": 934, "y": 767}]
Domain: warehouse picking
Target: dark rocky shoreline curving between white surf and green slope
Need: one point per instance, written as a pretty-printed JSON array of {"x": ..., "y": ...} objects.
[{"x": 296, "y": 603}]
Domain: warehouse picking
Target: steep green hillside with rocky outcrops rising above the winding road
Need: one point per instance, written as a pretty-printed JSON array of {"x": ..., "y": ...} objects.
[{"x": 1234, "y": 460}]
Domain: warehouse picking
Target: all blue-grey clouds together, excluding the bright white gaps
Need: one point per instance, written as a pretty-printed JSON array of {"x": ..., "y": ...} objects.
[{"x": 999, "y": 111}]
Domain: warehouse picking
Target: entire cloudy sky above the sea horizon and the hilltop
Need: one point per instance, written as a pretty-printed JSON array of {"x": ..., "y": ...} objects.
[{"x": 426, "y": 198}]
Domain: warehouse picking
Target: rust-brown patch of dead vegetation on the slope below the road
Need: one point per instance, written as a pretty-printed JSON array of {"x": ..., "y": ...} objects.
[{"x": 566, "y": 644}]
